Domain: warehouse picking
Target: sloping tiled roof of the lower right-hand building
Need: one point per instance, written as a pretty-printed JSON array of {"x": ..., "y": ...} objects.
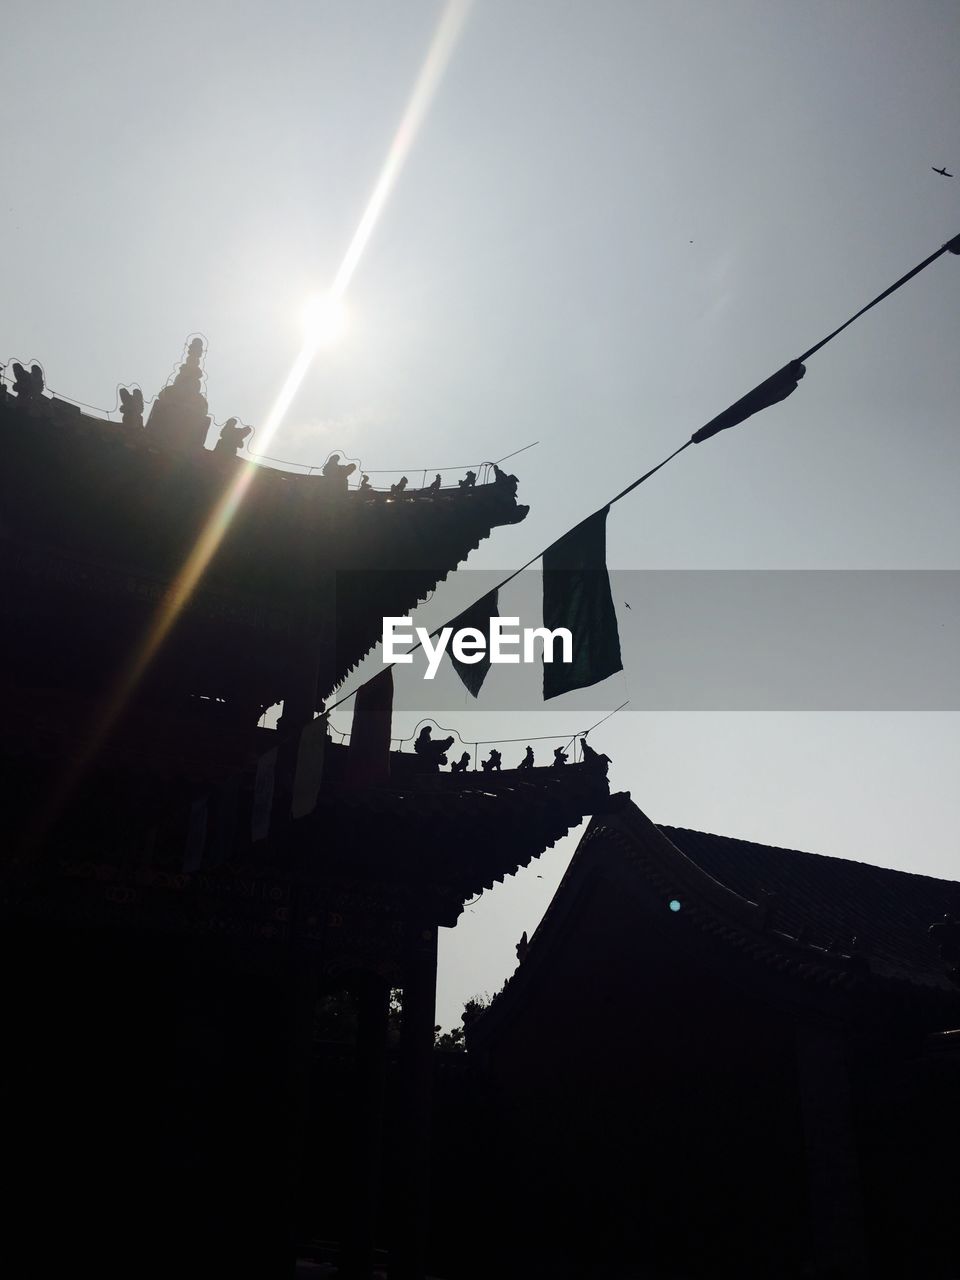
[{"x": 798, "y": 925}]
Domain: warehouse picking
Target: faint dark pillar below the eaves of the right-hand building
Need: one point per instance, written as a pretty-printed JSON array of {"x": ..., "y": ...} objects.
[{"x": 833, "y": 1164}]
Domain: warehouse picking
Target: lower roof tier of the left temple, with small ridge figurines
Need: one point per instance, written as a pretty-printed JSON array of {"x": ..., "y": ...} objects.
[{"x": 342, "y": 880}]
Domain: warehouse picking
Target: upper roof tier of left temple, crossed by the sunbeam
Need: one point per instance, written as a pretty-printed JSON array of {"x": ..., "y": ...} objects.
[{"x": 102, "y": 518}]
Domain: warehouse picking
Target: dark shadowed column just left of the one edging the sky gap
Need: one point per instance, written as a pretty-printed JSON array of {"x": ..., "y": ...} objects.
[{"x": 360, "y": 1235}]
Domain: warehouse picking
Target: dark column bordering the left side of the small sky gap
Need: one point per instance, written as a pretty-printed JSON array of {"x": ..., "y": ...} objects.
[{"x": 417, "y": 1066}]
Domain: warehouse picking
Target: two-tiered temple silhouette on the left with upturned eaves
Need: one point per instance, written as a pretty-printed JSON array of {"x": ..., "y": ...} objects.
[{"x": 182, "y": 888}]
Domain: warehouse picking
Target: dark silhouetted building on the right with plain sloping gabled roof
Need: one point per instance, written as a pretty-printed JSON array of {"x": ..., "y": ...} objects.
[{"x": 723, "y": 1059}]
